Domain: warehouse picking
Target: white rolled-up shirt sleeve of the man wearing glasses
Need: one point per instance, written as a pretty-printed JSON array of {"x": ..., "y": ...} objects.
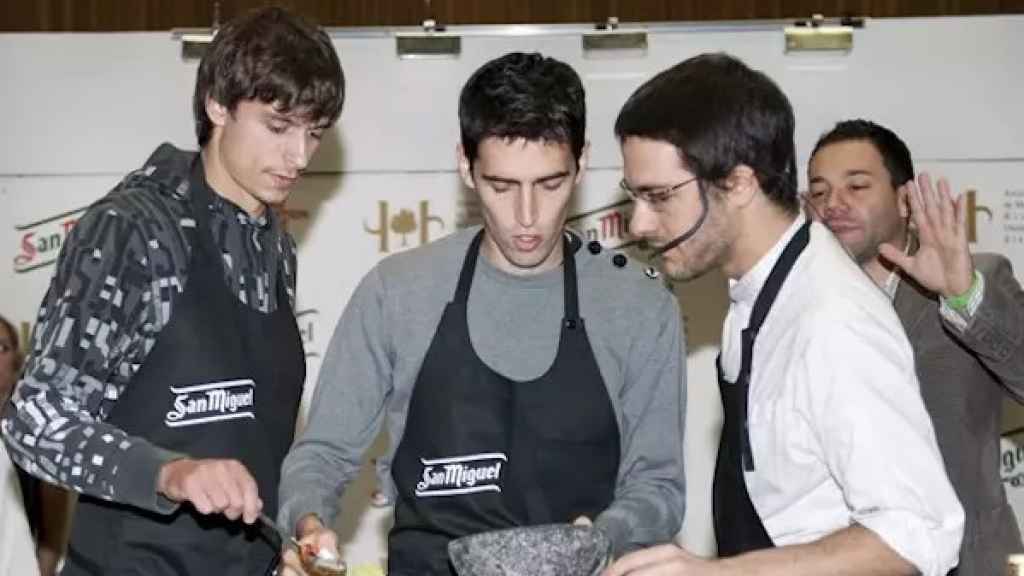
[{"x": 878, "y": 442}]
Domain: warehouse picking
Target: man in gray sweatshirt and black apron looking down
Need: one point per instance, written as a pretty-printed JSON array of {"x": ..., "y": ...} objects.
[{"x": 525, "y": 378}]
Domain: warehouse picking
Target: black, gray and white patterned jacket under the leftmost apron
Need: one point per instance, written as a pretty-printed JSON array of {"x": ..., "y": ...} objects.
[{"x": 116, "y": 283}]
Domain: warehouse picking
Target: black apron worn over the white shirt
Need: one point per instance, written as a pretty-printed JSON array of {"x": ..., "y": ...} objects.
[{"x": 738, "y": 526}]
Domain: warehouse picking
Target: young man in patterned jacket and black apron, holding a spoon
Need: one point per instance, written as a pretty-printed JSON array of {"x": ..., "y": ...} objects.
[{"x": 166, "y": 368}]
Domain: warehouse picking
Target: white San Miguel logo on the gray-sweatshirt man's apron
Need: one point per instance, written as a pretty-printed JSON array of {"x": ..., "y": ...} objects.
[{"x": 461, "y": 475}]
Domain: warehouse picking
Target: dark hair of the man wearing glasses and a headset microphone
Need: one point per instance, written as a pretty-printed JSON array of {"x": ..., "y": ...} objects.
[{"x": 719, "y": 114}]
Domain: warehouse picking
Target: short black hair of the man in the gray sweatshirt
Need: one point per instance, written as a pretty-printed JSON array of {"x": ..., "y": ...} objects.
[{"x": 523, "y": 96}]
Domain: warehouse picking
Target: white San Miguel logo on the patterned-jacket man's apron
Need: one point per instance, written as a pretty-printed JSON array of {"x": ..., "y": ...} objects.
[{"x": 212, "y": 403}]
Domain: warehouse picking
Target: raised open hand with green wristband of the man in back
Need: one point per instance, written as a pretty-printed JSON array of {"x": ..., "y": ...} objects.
[{"x": 943, "y": 263}]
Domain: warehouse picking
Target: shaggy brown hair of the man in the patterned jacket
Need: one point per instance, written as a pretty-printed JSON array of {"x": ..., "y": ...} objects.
[{"x": 272, "y": 56}]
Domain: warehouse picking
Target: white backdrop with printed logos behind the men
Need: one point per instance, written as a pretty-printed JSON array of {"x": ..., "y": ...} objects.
[{"x": 84, "y": 109}]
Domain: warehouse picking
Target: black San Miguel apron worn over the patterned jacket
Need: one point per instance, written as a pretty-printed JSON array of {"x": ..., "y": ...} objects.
[{"x": 223, "y": 382}]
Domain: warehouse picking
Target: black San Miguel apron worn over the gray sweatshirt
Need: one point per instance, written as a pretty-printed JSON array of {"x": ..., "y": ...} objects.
[{"x": 484, "y": 452}]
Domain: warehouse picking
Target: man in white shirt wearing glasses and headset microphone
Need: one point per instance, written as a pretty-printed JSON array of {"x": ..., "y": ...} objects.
[{"x": 828, "y": 463}]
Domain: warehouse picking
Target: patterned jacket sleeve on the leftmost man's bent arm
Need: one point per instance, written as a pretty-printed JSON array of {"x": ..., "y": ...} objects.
[{"x": 91, "y": 335}]
